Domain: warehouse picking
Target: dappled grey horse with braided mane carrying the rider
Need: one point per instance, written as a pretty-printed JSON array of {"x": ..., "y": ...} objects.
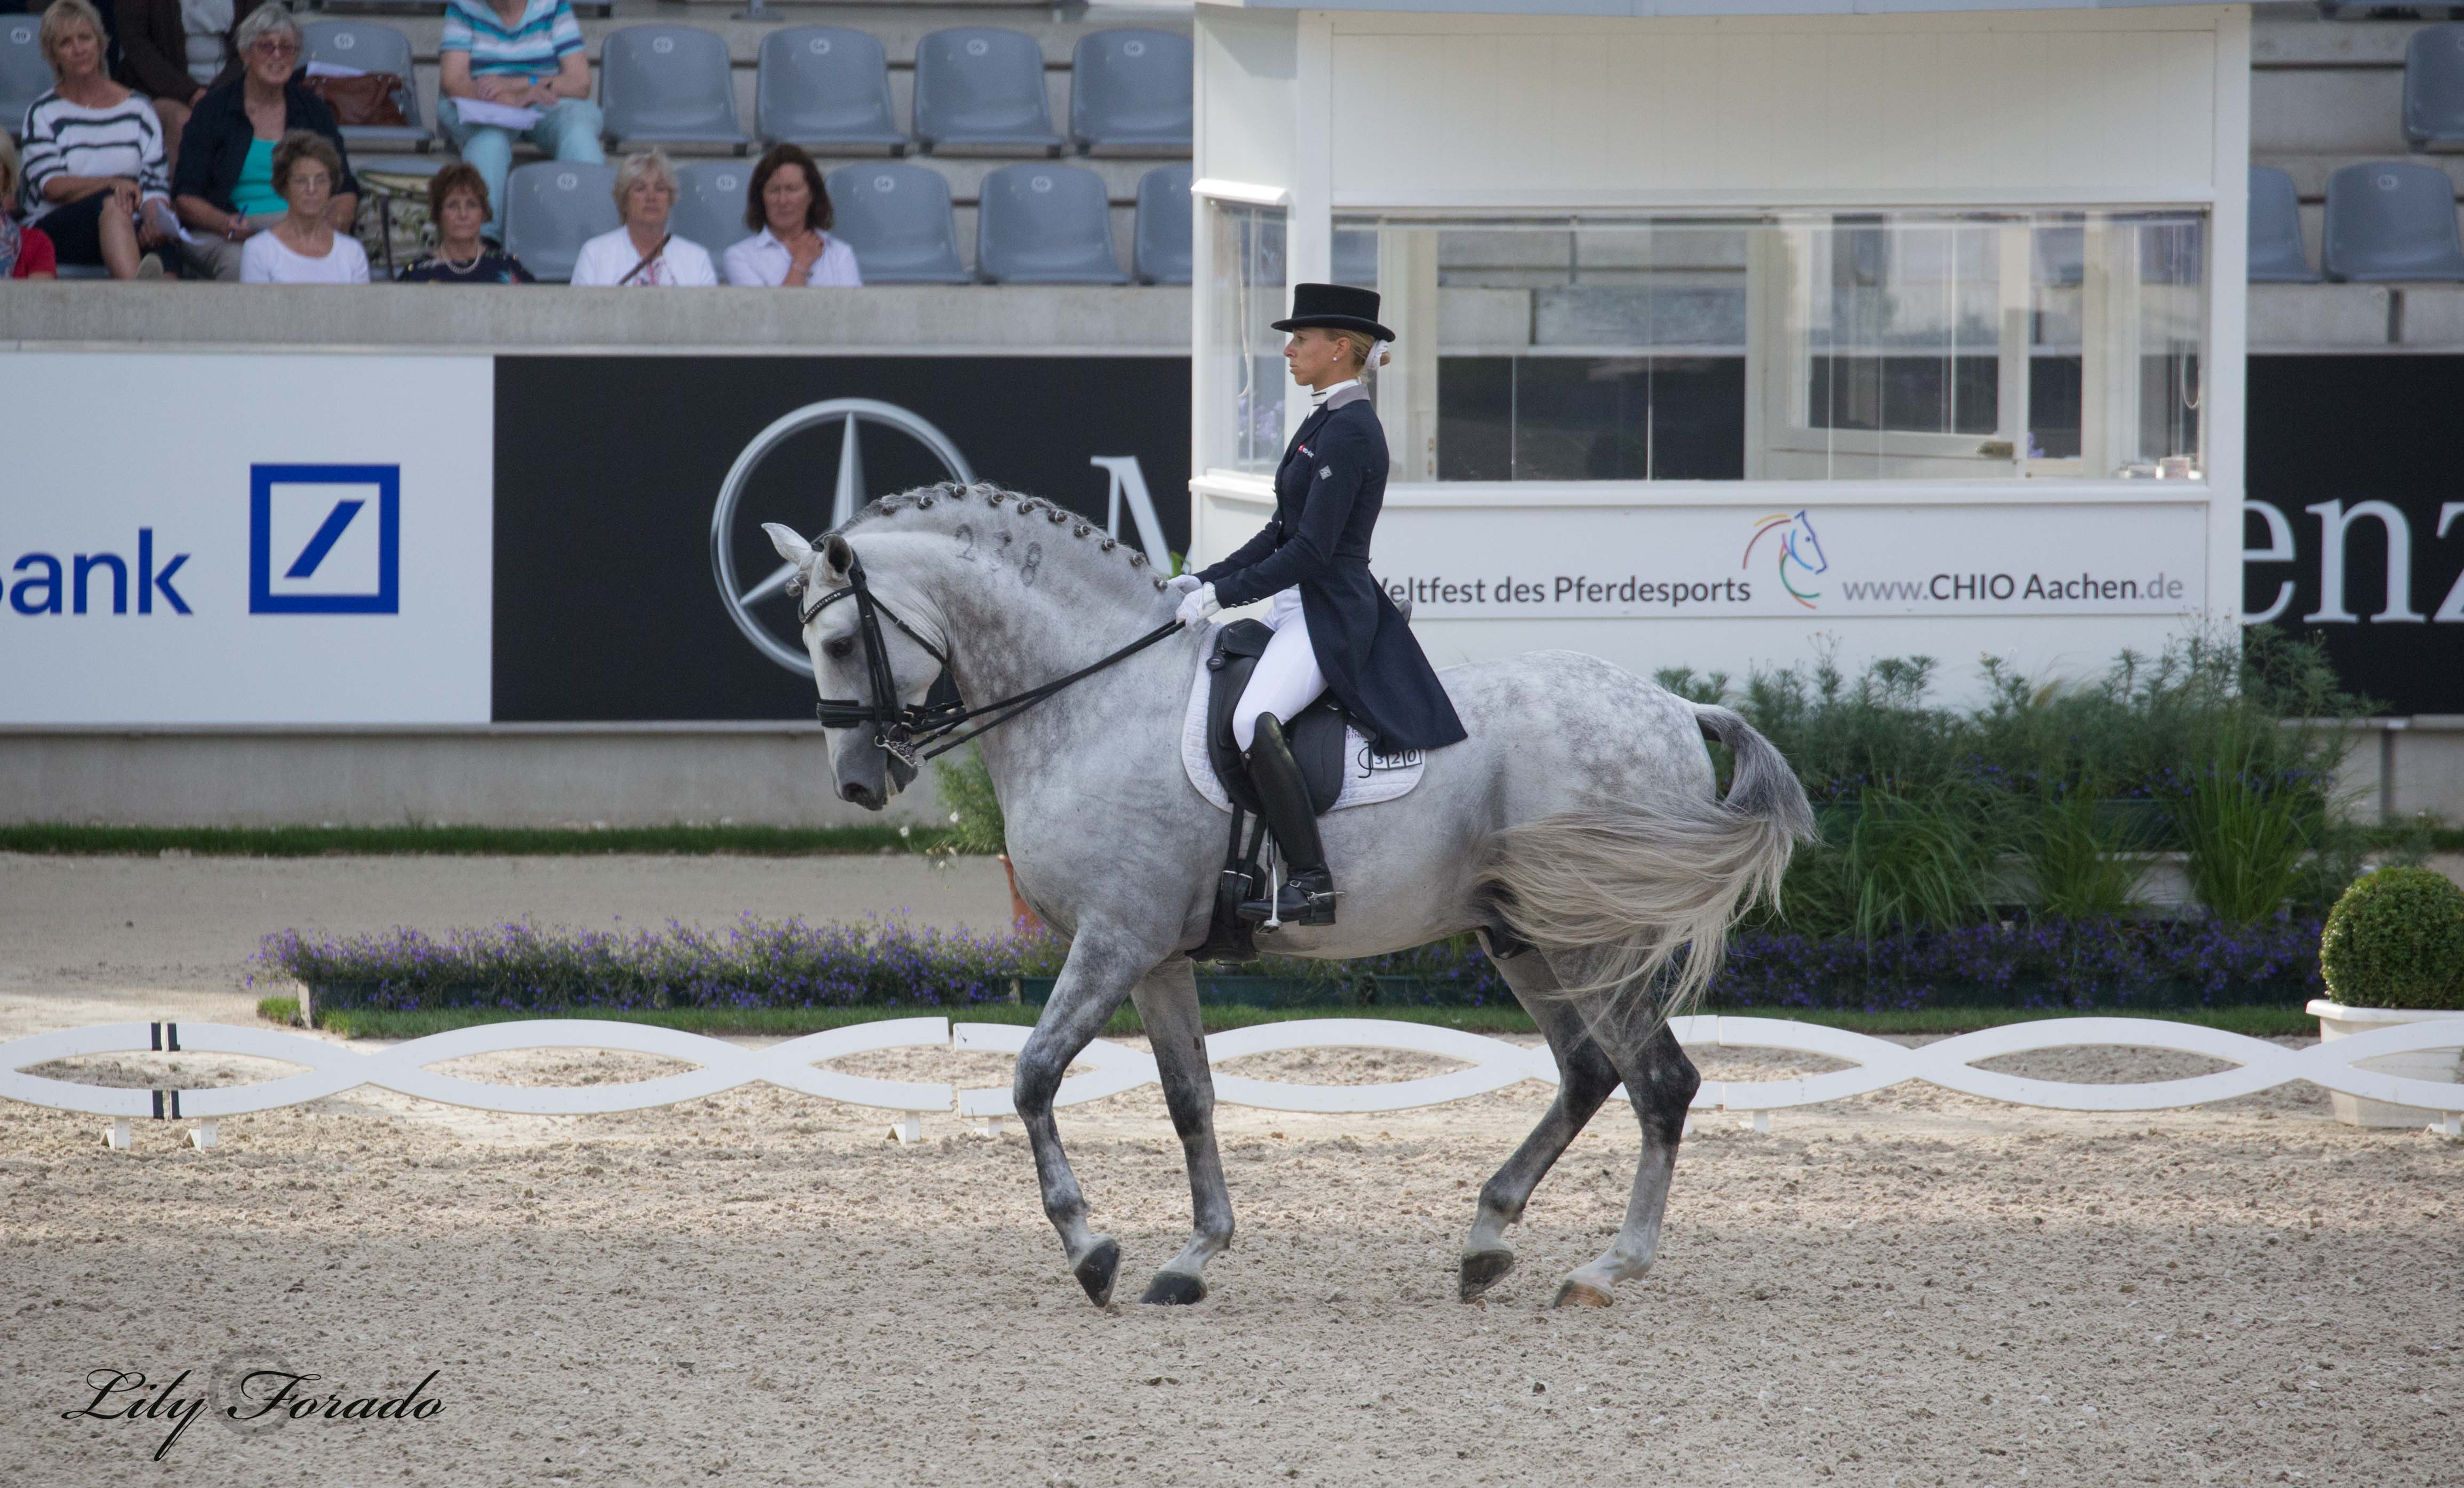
[{"x": 1581, "y": 817}]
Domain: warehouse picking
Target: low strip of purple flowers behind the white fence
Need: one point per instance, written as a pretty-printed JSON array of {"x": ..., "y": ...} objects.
[{"x": 886, "y": 964}]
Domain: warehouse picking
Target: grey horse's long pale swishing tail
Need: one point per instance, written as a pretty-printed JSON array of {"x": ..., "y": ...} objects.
[{"x": 1620, "y": 893}]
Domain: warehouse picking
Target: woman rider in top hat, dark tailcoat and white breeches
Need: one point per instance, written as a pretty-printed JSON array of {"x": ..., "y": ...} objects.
[{"x": 1334, "y": 627}]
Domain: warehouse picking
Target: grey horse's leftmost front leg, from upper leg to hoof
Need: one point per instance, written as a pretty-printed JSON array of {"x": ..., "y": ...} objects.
[{"x": 1090, "y": 989}]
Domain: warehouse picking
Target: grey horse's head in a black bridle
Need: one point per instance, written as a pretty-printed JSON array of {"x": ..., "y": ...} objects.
[{"x": 851, "y": 659}]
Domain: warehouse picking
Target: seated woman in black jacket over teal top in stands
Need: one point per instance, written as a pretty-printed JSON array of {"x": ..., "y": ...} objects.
[{"x": 223, "y": 186}]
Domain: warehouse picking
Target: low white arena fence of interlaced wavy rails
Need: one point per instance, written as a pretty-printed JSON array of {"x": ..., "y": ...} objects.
[{"x": 334, "y": 1068}]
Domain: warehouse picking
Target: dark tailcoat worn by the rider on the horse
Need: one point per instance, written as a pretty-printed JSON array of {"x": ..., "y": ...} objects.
[{"x": 1327, "y": 499}]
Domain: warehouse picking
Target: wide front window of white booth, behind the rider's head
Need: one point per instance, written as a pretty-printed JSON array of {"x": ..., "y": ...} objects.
[{"x": 1822, "y": 346}]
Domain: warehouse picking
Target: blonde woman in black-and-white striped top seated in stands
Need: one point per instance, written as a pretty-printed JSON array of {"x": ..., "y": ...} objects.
[{"x": 95, "y": 156}]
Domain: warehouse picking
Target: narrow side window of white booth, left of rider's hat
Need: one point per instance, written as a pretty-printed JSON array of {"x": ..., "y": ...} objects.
[{"x": 1246, "y": 297}]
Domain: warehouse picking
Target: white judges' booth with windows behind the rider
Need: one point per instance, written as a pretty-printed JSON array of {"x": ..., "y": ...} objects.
[{"x": 1731, "y": 329}]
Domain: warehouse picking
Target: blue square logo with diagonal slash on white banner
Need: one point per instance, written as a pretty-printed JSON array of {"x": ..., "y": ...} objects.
[{"x": 324, "y": 541}]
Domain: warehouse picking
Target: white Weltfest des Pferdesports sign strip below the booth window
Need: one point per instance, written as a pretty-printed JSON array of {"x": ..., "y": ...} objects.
[{"x": 1797, "y": 558}]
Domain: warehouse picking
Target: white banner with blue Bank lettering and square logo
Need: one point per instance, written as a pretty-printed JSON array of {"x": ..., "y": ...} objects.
[{"x": 245, "y": 538}]
